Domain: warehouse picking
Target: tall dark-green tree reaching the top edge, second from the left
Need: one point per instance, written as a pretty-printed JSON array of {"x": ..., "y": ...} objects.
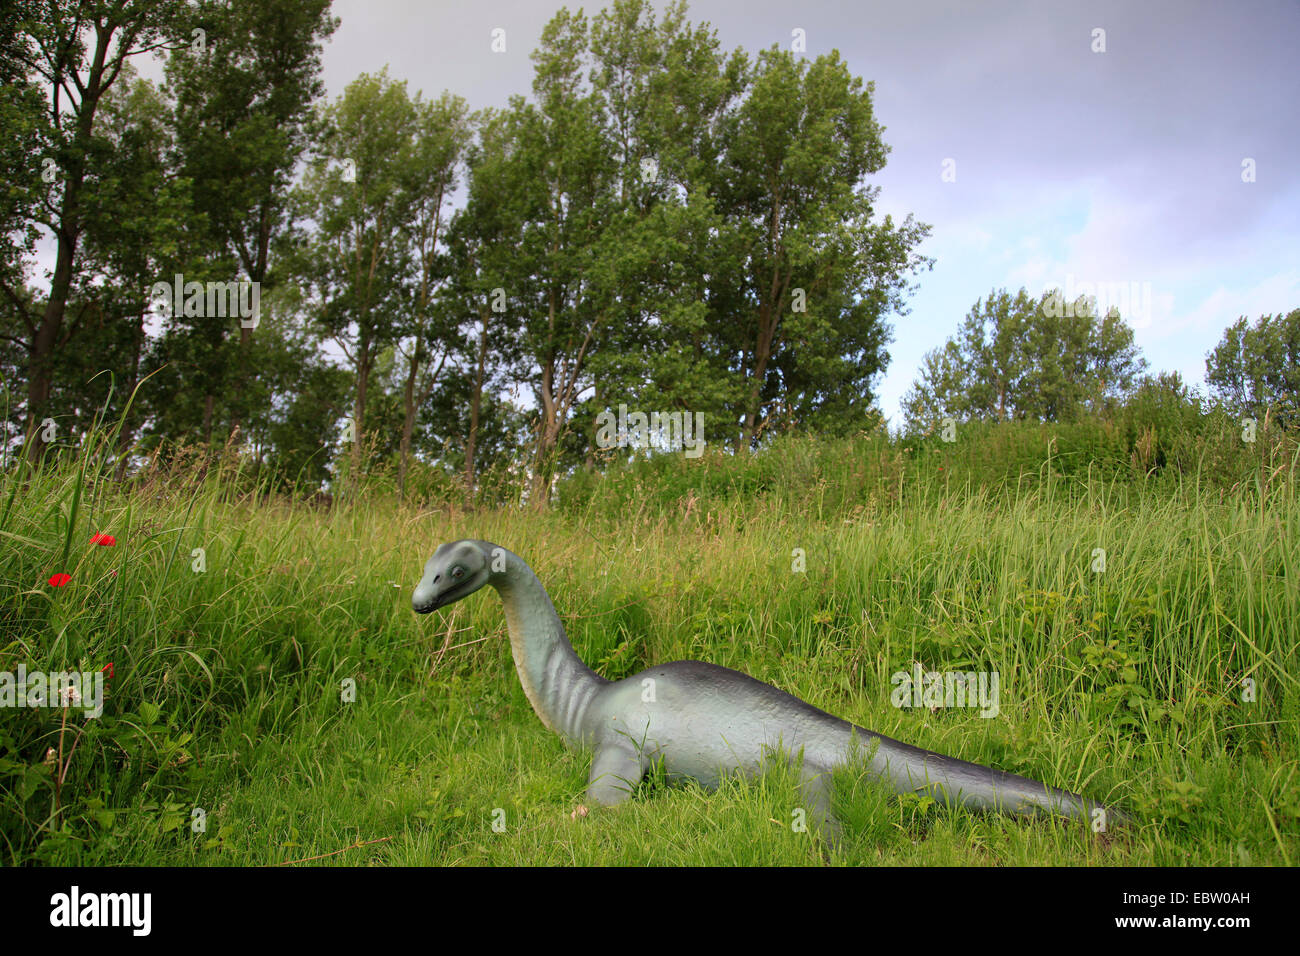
[{"x": 241, "y": 100}]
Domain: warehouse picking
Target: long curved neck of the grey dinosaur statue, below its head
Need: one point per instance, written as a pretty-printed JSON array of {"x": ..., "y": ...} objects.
[{"x": 556, "y": 681}]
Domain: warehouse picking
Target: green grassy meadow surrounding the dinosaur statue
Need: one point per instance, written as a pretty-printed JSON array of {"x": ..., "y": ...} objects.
[{"x": 279, "y": 690}]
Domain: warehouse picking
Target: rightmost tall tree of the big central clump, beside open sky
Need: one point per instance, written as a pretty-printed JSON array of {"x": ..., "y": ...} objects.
[{"x": 814, "y": 276}]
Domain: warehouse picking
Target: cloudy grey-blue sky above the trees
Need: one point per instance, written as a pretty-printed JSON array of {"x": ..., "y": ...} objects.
[{"x": 1146, "y": 149}]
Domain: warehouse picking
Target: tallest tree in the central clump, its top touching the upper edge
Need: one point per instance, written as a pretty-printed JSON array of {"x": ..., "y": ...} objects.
[{"x": 666, "y": 93}]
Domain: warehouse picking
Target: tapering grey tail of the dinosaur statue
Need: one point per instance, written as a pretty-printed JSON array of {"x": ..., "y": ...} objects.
[{"x": 957, "y": 782}]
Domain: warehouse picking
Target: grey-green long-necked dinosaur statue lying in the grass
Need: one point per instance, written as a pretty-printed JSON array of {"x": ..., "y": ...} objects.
[{"x": 703, "y": 721}]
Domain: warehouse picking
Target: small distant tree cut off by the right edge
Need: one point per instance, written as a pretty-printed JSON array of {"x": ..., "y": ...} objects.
[{"x": 1256, "y": 369}]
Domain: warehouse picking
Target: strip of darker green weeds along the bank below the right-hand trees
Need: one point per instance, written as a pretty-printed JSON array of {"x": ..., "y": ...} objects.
[{"x": 1160, "y": 440}]
